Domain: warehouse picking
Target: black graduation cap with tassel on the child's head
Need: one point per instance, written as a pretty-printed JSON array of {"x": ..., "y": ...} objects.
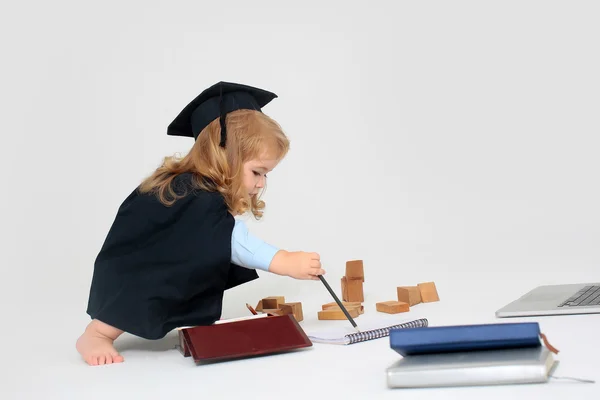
[{"x": 216, "y": 102}]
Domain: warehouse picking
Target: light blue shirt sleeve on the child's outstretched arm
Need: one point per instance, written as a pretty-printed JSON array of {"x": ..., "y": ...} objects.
[{"x": 249, "y": 251}]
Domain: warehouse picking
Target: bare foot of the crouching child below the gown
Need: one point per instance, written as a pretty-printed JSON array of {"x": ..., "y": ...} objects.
[{"x": 96, "y": 344}]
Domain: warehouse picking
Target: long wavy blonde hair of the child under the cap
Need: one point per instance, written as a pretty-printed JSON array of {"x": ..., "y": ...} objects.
[{"x": 250, "y": 135}]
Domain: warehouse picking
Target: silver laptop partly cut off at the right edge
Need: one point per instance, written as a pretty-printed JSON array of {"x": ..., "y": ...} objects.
[{"x": 579, "y": 298}]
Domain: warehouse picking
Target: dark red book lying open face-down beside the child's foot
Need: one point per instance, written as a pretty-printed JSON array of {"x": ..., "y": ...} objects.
[{"x": 224, "y": 340}]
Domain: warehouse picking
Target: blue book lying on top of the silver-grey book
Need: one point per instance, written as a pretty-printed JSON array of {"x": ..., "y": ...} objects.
[{"x": 444, "y": 339}]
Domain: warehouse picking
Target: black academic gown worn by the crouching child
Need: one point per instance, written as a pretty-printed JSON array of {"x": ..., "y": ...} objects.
[{"x": 164, "y": 267}]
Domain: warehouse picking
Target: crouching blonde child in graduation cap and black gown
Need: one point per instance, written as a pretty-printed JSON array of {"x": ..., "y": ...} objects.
[{"x": 175, "y": 246}]
